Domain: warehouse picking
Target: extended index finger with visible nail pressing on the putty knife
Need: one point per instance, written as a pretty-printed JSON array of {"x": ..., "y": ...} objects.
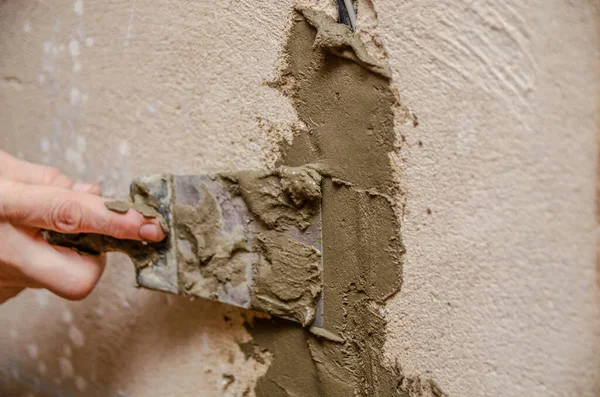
[{"x": 65, "y": 211}]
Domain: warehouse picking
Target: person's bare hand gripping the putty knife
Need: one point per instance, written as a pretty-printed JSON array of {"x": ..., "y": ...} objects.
[{"x": 35, "y": 197}]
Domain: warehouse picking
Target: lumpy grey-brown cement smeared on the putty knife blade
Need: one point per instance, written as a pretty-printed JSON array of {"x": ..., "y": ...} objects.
[{"x": 278, "y": 206}]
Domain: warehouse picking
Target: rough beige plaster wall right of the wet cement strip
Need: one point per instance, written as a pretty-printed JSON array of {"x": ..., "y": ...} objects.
[{"x": 499, "y": 293}]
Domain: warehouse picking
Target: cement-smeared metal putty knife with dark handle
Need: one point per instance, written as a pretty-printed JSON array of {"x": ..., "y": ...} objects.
[{"x": 251, "y": 239}]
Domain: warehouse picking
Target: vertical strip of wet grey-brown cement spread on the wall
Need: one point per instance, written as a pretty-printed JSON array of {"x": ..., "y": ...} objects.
[{"x": 344, "y": 98}]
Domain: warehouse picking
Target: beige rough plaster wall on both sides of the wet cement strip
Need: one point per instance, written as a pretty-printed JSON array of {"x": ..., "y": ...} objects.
[{"x": 499, "y": 294}]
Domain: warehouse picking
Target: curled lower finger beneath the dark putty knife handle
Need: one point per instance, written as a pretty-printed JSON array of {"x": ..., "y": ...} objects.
[{"x": 60, "y": 270}]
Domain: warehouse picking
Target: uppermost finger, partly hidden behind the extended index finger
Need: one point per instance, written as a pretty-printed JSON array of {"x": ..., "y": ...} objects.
[{"x": 17, "y": 170}]
